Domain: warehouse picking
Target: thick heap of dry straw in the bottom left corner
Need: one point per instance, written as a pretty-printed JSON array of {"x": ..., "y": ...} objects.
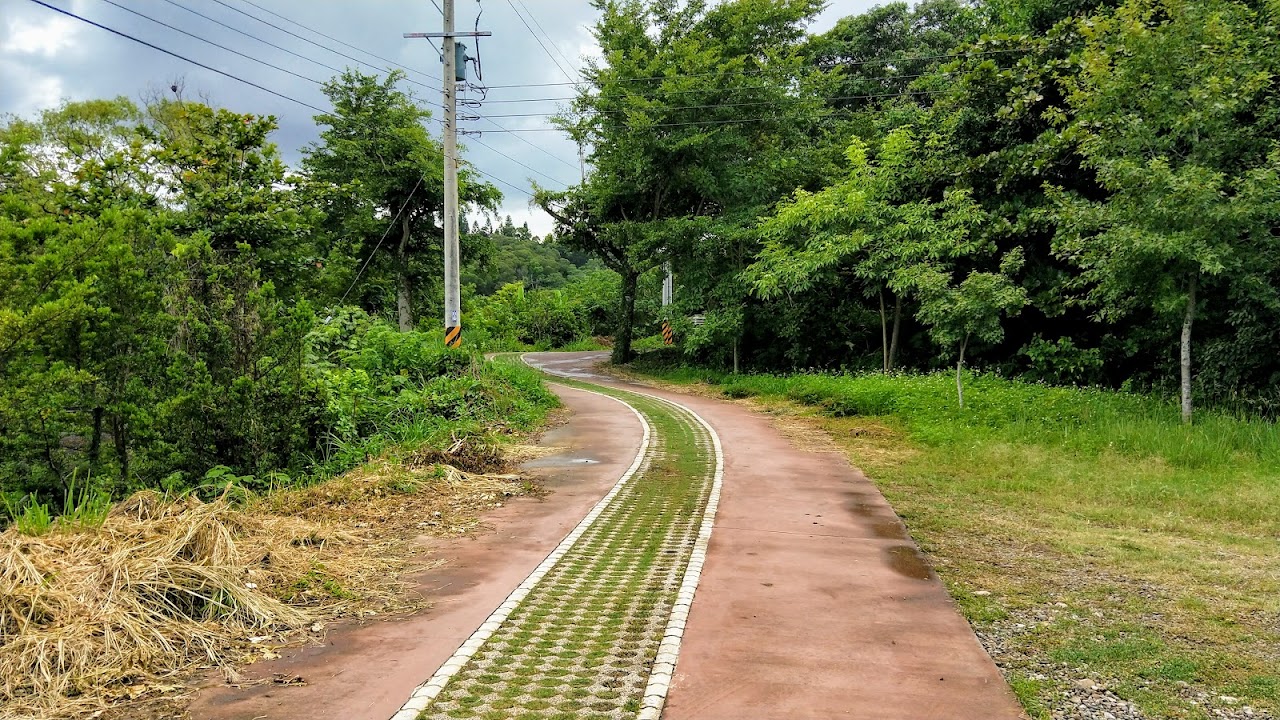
[{"x": 85, "y": 616}]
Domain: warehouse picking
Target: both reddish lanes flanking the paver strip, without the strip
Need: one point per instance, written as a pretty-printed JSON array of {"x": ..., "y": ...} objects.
[{"x": 813, "y": 601}]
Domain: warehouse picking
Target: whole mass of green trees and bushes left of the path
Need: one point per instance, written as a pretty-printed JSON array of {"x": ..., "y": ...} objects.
[{"x": 171, "y": 307}]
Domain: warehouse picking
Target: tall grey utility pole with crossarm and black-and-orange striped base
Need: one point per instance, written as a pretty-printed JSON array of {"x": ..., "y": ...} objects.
[{"x": 454, "y": 74}]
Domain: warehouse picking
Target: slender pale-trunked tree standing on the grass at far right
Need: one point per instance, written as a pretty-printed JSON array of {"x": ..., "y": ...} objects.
[{"x": 1164, "y": 117}]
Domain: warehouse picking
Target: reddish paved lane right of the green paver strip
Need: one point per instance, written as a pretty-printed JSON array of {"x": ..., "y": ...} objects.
[{"x": 813, "y": 603}]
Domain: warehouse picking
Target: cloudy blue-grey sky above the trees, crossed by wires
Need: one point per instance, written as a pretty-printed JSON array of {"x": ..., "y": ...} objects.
[{"x": 47, "y": 58}]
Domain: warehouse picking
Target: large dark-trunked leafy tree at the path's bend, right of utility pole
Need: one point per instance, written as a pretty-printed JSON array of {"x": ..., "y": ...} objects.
[{"x": 673, "y": 115}]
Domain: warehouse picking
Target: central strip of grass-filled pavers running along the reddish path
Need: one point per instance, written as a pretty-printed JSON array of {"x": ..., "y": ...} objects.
[{"x": 583, "y": 642}]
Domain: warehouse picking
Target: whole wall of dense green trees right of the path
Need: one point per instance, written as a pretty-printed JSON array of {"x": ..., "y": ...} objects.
[{"x": 1080, "y": 193}]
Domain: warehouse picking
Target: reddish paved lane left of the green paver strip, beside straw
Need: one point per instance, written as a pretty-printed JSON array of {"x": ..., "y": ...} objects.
[{"x": 368, "y": 672}]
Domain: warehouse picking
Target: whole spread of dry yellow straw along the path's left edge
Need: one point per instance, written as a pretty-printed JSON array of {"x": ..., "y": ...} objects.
[{"x": 90, "y": 617}]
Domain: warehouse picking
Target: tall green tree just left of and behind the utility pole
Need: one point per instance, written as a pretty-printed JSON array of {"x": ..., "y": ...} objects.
[{"x": 377, "y": 139}]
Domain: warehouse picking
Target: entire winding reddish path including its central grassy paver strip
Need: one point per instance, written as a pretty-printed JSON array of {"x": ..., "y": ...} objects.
[{"x": 811, "y": 600}]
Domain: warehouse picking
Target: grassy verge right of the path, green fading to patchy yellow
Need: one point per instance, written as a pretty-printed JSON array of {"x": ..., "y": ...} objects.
[{"x": 1085, "y": 534}]
